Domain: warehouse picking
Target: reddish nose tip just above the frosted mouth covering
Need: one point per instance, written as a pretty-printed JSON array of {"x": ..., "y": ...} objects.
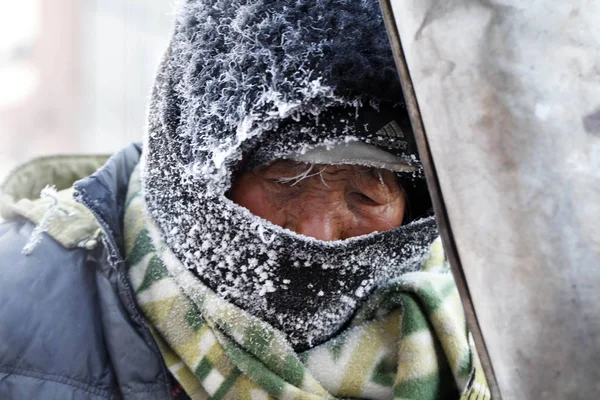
[{"x": 323, "y": 219}]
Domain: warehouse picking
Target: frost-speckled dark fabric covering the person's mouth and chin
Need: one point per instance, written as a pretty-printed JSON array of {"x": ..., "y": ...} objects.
[{"x": 305, "y": 287}]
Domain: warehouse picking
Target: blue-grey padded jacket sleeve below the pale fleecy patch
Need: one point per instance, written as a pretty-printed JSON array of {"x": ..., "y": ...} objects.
[{"x": 50, "y": 321}]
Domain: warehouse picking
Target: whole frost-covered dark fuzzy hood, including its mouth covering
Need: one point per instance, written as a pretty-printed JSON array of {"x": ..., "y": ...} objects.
[{"x": 241, "y": 76}]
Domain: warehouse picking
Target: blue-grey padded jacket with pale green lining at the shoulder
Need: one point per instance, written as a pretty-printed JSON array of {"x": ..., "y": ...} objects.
[{"x": 69, "y": 324}]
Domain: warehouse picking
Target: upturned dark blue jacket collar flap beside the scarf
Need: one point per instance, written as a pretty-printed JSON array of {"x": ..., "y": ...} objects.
[{"x": 104, "y": 192}]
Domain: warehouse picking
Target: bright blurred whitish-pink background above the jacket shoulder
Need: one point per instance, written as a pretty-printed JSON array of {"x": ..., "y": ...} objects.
[{"x": 75, "y": 75}]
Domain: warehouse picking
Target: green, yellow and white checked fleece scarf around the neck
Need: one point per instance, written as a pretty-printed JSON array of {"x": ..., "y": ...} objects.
[{"x": 409, "y": 340}]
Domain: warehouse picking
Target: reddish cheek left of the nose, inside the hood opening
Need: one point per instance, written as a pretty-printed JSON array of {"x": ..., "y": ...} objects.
[{"x": 252, "y": 193}]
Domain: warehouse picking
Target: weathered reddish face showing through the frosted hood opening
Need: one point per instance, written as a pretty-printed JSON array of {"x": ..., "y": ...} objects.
[{"x": 327, "y": 203}]
